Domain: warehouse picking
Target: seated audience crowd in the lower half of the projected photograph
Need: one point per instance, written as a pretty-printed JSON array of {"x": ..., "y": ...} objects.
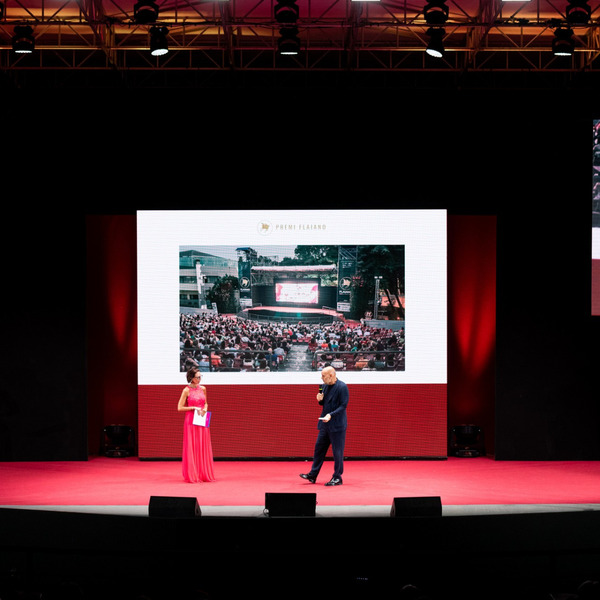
[{"x": 226, "y": 343}]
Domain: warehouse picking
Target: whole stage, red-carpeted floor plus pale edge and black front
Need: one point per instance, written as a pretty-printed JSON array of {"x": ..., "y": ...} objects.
[{"x": 507, "y": 530}]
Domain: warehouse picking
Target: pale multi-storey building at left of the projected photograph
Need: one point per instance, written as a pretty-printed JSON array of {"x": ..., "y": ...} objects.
[{"x": 198, "y": 272}]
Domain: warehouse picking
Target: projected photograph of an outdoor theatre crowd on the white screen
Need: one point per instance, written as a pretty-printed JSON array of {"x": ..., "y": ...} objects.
[{"x": 292, "y": 308}]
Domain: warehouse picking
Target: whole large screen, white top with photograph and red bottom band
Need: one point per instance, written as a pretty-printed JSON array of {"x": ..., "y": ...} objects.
[{"x": 379, "y": 281}]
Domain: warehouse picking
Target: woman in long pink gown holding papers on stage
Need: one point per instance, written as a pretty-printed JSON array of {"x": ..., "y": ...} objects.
[{"x": 197, "y": 447}]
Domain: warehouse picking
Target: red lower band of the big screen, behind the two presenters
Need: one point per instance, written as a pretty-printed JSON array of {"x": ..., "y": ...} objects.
[{"x": 268, "y": 421}]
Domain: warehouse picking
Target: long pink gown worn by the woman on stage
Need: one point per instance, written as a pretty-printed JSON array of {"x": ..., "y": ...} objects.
[{"x": 197, "y": 447}]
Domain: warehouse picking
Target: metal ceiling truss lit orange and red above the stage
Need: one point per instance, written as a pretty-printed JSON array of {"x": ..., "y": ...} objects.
[{"x": 337, "y": 35}]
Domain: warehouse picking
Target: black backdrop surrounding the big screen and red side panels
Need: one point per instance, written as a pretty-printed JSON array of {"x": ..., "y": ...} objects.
[{"x": 69, "y": 154}]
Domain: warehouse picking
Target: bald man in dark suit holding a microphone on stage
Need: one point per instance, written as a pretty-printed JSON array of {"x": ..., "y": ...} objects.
[{"x": 332, "y": 427}]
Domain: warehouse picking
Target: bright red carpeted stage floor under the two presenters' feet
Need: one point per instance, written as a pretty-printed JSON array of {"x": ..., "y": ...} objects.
[{"x": 466, "y": 481}]
